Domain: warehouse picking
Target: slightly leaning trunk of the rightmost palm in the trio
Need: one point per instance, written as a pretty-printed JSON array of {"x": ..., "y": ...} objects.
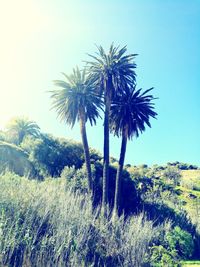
[{"x": 119, "y": 174}]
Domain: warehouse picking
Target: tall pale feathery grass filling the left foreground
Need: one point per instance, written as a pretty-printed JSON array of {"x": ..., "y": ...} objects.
[{"x": 45, "y": 224}]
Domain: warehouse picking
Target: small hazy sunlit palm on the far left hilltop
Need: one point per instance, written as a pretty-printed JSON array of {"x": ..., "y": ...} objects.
[{"x": 19, "y": 127}]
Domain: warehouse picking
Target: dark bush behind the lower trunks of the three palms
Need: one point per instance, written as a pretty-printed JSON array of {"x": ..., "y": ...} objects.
[{"x": 77, "y": 181}]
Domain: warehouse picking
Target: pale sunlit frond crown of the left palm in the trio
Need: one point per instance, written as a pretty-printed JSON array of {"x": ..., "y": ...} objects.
[{"x": 78, "y": 93}]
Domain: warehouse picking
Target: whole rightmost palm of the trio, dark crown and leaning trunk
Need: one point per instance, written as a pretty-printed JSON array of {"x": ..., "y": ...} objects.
[{"x": 130, "y": 113}]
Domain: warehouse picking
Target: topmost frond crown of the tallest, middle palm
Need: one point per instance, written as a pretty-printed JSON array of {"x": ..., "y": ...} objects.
[{"x": 114, "y": 70}]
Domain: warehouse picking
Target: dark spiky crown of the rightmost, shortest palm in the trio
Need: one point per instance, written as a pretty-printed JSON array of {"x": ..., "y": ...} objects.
[{"x": 131, "y": 112}]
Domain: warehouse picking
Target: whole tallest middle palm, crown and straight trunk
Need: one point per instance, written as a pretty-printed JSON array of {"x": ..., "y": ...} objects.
[{"x": 112, "y": 72}]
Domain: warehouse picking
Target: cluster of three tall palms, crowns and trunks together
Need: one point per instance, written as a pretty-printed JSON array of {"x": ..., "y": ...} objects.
[{"x": 108, "y": 83}]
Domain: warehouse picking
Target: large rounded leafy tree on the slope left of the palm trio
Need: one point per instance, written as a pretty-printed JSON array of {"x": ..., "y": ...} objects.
[{"x": 50, "y": 155}]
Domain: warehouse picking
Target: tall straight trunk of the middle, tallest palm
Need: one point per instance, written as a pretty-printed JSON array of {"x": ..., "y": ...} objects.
[{"x": 106, "y": 153}]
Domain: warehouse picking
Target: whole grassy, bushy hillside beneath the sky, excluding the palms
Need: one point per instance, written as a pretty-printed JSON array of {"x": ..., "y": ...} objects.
[{"x": 51, "y": 220}]
